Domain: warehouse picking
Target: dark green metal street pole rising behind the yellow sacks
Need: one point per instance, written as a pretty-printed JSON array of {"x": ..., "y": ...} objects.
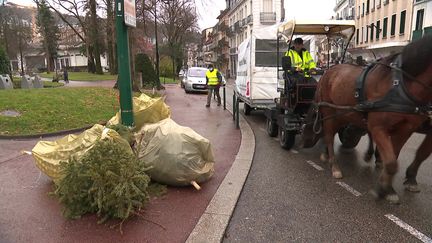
[{"x": 124, "y": 77}]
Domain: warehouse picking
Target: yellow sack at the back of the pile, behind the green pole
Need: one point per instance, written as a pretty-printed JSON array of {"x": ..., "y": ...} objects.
[{"x": 145, "y": 110}]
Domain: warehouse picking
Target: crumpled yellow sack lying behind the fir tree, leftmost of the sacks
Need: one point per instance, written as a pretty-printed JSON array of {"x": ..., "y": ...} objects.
[{"x": 48, "y": 154}]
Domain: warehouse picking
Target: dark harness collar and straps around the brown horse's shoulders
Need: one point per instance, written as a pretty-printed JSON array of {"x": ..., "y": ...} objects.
[{"x": 398, "y": 99}]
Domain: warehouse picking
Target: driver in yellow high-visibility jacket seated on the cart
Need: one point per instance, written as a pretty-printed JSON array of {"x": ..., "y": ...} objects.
[{"x": 301, "y": 59}]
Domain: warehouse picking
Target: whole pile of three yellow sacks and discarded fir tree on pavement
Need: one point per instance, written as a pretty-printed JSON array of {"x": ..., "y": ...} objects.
[{"x": 88, "y": 168}]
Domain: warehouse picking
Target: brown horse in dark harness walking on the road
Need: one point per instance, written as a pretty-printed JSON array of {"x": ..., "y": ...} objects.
[{"x": 389, "y": 128}]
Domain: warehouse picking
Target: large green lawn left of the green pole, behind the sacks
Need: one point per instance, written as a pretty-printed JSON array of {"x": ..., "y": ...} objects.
[{"x": 49, "y": 110}]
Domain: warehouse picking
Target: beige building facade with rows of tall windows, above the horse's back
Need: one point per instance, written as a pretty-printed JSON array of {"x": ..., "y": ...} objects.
[{"x": 383, "y": 27}]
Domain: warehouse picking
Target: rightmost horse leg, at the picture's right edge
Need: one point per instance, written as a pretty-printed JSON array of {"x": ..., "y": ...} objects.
[{"x": 422, "y": 154}]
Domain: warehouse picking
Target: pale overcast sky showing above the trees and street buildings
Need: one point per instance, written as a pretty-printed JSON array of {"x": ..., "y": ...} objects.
[{"x": 300, "y": 9}]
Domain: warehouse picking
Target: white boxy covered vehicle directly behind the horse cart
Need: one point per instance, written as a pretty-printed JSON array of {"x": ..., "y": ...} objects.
[{"x": 256, "y": 82}]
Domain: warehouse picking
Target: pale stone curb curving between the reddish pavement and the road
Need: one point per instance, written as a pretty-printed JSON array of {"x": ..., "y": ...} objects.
[{"x": 214, "y": 221}]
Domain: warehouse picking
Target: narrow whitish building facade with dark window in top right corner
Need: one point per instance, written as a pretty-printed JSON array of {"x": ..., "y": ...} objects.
[{"x": 422, "y": 19}]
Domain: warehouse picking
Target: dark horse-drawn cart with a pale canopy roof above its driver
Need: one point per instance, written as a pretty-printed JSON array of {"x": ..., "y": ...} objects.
[{"x": 297, "y": 89}]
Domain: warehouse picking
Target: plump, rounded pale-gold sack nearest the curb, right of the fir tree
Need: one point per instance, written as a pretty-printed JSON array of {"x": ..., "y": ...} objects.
[{"x": 175, "y": 155}]
